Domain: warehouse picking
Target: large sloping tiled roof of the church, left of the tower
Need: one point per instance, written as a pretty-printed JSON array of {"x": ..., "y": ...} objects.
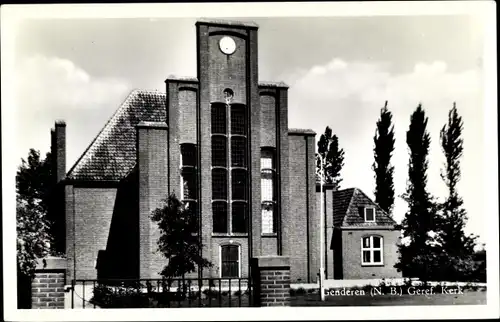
[{"x": 112, "y": 154}]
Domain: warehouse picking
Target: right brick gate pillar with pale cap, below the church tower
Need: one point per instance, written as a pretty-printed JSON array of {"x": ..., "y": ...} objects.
[{"x": 271, "y": 279}]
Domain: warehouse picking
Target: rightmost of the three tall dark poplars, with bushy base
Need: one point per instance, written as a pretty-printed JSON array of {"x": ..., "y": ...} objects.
[{"x": 458, "y": 246}]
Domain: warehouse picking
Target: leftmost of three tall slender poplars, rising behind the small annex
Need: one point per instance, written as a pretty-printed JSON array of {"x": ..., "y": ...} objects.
[{"x": 384, "y": 146}]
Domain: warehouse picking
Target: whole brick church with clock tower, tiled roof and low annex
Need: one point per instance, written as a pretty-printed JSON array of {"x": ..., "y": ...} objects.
[{"x": 220, "y": 142}]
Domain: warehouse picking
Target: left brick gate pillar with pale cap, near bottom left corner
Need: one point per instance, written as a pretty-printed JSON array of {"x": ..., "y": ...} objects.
[{"x": 47, "y": 288}]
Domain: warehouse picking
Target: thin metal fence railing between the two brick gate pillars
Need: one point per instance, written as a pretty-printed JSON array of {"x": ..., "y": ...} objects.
[{"x": 159, "y": 293}]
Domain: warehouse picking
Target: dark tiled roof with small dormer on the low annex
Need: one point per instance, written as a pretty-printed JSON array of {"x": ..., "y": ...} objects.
[{"x": 348, "y": 210}]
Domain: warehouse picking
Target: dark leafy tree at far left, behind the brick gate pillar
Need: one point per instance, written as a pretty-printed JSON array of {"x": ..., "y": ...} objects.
[{"x": 33, "y": 189}]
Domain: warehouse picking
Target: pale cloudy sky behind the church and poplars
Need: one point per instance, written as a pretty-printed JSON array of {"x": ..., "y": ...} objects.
[{"x": 340, "y": 69}]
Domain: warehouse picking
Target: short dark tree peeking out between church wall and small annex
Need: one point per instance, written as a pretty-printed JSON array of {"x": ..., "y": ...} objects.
[{"x": 328, "y": 149}]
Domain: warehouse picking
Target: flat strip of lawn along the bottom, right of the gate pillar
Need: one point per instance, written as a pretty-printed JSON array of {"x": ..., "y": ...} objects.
[{"x": 468, "y": 298}]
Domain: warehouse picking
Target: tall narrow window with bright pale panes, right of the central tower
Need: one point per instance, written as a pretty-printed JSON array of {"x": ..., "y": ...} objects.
[{"x": 267, "y": 191}]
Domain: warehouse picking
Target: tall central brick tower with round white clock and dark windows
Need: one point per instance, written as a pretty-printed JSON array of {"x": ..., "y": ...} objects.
[{"x": 230, "y": 144}]
